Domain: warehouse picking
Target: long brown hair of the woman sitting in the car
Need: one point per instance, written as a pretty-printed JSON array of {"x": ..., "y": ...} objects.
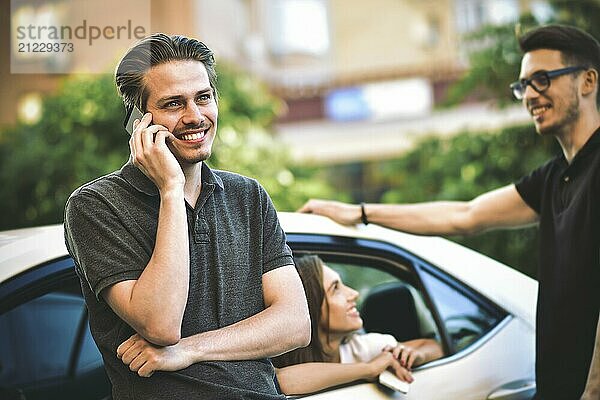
[{"x": 310, "y": 269}]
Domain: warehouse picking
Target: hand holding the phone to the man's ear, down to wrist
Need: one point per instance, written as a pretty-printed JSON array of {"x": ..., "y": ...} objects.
[{"x": 150, "y": 153}]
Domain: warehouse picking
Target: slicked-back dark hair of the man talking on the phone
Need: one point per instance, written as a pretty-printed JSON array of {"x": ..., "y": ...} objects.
[{"x": 154, "y": 50}]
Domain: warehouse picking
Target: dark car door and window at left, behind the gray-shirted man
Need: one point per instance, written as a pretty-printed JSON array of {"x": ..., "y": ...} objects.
[{"x": 46, "y": 349}]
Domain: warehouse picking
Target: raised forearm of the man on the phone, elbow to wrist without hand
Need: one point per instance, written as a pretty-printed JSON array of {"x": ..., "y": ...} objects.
[{"x": 154, "y": 304}]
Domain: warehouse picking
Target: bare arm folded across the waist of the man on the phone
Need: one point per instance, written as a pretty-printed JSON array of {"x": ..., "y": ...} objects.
[{"x": 282, "y": 326}]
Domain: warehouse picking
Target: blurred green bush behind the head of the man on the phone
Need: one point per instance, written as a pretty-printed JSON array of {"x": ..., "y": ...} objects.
[{"x": 80, "y": 137}]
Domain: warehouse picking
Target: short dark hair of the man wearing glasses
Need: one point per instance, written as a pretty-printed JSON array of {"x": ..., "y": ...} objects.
[{"x": 577, "y": 47}]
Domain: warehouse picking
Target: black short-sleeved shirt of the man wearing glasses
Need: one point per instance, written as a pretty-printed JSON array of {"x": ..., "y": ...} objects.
[{"x": 567, "y": 199}]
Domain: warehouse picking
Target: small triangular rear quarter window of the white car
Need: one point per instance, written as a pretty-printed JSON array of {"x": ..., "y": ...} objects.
[{"x": 466, "y": 316}]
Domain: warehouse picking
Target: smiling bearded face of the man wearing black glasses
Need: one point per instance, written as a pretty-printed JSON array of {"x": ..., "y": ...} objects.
[{"x": 556, "y": 110}]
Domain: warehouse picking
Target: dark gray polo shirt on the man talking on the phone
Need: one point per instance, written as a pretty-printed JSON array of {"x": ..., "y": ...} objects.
[{"x": 235, "y": 237}]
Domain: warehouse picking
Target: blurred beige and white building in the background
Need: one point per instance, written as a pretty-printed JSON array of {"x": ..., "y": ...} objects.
[{"x": 349, "y": 71}]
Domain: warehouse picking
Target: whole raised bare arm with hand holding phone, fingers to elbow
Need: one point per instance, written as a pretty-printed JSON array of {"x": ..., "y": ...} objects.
[{"x": 154, "y": 304}]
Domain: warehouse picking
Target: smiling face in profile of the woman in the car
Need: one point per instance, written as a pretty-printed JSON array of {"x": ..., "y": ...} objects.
[{"x": 339, "y": 305}]
